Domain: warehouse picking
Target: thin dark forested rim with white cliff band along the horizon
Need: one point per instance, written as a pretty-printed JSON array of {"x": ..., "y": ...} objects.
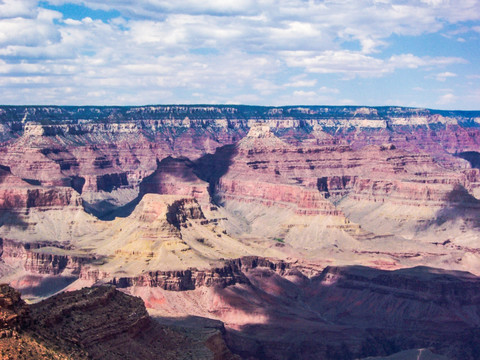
[{"x": 194, "y": 115}]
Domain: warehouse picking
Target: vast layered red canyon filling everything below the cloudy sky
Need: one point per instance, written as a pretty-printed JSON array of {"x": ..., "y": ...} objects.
[{"x": 300, "y": 232}]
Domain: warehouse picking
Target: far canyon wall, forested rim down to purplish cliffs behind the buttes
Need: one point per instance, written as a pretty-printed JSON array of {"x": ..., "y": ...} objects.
[{"x": 193, "y": 130}]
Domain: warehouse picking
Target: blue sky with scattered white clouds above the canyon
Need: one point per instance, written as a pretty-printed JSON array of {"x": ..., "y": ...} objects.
[{"x": 420, "y": 53}]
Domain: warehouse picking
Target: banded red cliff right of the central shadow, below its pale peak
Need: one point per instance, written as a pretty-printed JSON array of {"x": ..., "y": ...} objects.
[{"x": 285, "y": 174}]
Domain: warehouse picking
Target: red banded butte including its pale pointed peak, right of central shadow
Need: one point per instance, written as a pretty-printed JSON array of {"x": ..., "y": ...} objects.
[{"x": 374, "y": 172}]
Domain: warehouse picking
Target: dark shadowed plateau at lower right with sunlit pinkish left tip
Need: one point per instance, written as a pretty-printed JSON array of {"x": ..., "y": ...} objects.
[{"x": 280, "y": 310}]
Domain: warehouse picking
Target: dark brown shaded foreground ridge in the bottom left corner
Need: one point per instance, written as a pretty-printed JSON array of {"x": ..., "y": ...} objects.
[{"x": 96, "y": 323}]
